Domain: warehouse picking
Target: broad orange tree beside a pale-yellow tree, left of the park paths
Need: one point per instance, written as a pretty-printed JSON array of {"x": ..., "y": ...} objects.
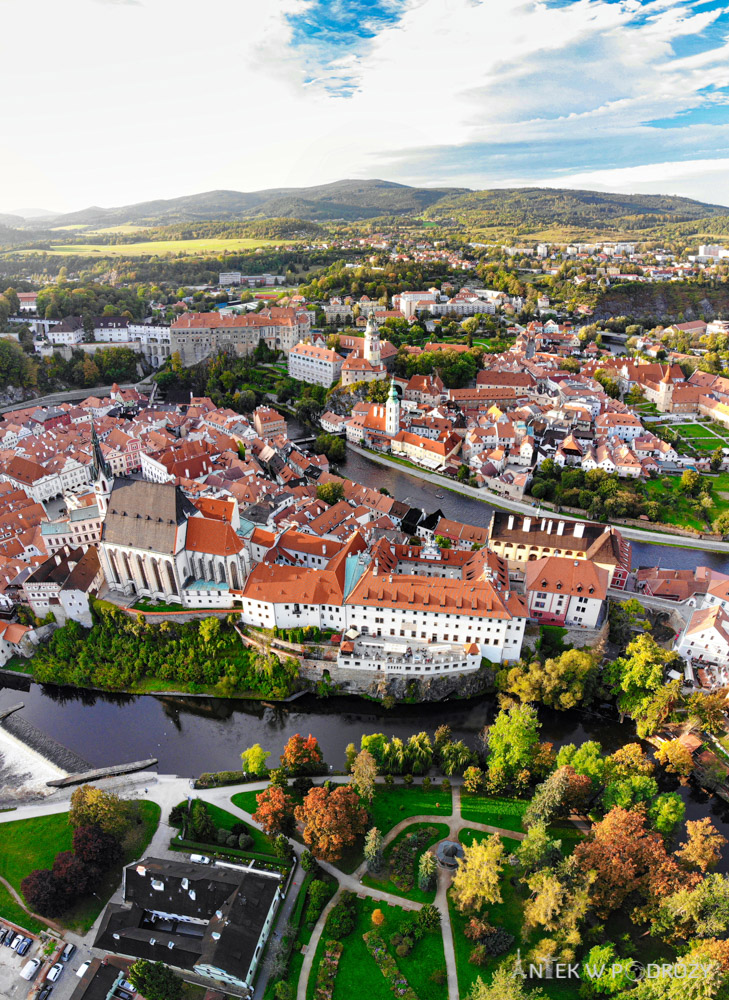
[{"x": 333, "y": 819}]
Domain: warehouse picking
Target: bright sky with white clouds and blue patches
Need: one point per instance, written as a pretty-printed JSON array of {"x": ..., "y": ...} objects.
[{"x": 112, "y": 102}]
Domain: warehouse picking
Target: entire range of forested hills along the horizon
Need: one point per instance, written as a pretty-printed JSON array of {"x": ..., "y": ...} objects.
[{"x": 507, "y": 213}]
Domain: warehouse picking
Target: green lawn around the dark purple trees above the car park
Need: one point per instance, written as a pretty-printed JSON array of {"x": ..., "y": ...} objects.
[{"x": 33, "y": 843}]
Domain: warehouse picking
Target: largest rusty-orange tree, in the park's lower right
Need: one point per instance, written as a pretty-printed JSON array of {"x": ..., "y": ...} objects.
[{"x": 626, "y": 858}]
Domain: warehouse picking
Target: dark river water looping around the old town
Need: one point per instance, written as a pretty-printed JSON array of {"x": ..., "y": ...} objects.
[{"x": 192, "y": 735}]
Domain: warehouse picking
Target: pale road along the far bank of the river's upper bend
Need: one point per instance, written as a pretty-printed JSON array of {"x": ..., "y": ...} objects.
[{"x": 524, "y": 507}]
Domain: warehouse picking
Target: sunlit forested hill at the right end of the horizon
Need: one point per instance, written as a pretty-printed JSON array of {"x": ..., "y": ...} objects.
[{"x": 528, "y": 210}]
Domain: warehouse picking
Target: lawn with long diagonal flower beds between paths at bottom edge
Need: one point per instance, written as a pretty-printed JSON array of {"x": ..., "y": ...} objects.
[{"x": 357, "y": 973}]
